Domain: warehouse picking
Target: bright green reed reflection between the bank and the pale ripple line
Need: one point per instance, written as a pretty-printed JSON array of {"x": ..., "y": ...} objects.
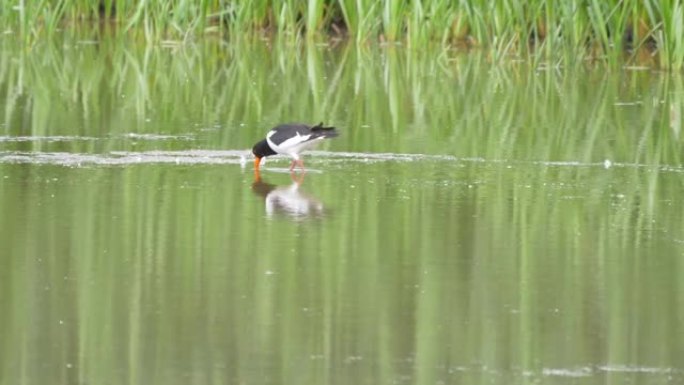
[{"x": 387, "y": 100}]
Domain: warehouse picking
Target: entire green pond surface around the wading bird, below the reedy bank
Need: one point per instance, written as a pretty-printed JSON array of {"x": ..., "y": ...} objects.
[{"x": 475, "y": 222}]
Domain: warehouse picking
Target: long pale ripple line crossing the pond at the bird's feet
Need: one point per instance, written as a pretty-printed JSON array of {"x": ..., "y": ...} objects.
[{"x": 242, "y": 157}]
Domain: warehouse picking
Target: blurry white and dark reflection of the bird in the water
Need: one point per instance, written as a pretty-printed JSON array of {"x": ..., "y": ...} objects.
[{"x": 288, "y": 200}]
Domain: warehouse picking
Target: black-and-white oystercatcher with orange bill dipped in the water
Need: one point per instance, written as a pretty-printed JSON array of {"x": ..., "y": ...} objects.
[{"x": 291, "y": 139}]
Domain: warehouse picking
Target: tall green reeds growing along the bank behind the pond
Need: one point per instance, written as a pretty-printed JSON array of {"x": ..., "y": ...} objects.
[{"x": 590, "y": 29}]
